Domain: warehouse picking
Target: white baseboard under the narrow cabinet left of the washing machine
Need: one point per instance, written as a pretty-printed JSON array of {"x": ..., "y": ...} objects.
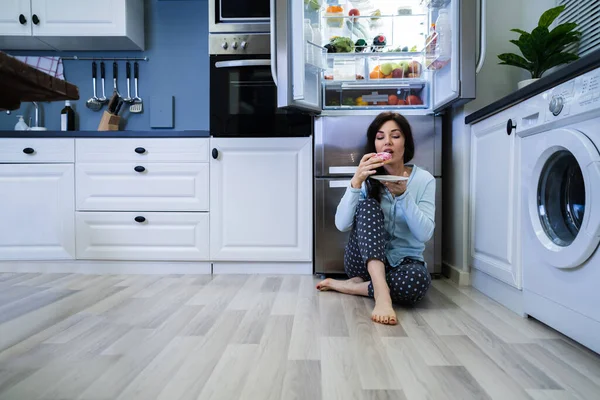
[{"x": 499, "y": 291}]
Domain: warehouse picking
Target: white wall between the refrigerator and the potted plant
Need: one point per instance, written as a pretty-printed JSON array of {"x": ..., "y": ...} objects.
[{"x": 493, "y": 82}]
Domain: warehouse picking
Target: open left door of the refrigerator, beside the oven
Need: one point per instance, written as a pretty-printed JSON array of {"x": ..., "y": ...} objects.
[{"x": 298, "y": 64}]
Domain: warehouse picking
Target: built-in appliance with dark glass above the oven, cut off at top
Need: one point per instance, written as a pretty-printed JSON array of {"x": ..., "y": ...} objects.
[{"x": 239, "y": 16}]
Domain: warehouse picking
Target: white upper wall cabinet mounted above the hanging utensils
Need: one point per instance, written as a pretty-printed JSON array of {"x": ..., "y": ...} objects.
[{"x": 72, "y": 25}]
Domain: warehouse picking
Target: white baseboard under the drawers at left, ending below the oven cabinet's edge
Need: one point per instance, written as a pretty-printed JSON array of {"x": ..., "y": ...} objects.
[{"x": 107, "y": 267}]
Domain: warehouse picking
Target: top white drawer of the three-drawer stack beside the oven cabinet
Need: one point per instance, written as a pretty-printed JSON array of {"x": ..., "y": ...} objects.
[{"x": 142, "y": 149}]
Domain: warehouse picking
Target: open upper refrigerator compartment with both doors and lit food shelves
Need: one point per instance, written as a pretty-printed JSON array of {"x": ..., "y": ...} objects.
[{"x": 411, "y": 55}]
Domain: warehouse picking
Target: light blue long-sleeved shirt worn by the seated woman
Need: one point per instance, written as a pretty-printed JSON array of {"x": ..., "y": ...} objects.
[{"x": 409, "y": 219}]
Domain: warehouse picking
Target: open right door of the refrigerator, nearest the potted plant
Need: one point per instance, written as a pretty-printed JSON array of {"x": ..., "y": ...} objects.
[{"x": 454, "y": 83}]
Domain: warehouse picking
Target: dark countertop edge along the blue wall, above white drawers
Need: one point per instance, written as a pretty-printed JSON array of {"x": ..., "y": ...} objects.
[{"x": 104, "y": 134}]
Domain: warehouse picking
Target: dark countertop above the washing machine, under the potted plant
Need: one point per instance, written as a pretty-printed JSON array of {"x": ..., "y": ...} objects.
[{"x": 584, "y": 64}]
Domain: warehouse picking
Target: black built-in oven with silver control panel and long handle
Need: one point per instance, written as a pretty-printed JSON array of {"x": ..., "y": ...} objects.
[{"x": 243, "y": 94}]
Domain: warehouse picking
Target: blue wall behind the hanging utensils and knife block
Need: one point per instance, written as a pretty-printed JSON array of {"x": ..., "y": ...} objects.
[{"x": 177, "y": 47}]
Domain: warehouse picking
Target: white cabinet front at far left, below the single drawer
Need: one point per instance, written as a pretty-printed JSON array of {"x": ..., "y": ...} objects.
[{"x": 37, "y": 211}]
